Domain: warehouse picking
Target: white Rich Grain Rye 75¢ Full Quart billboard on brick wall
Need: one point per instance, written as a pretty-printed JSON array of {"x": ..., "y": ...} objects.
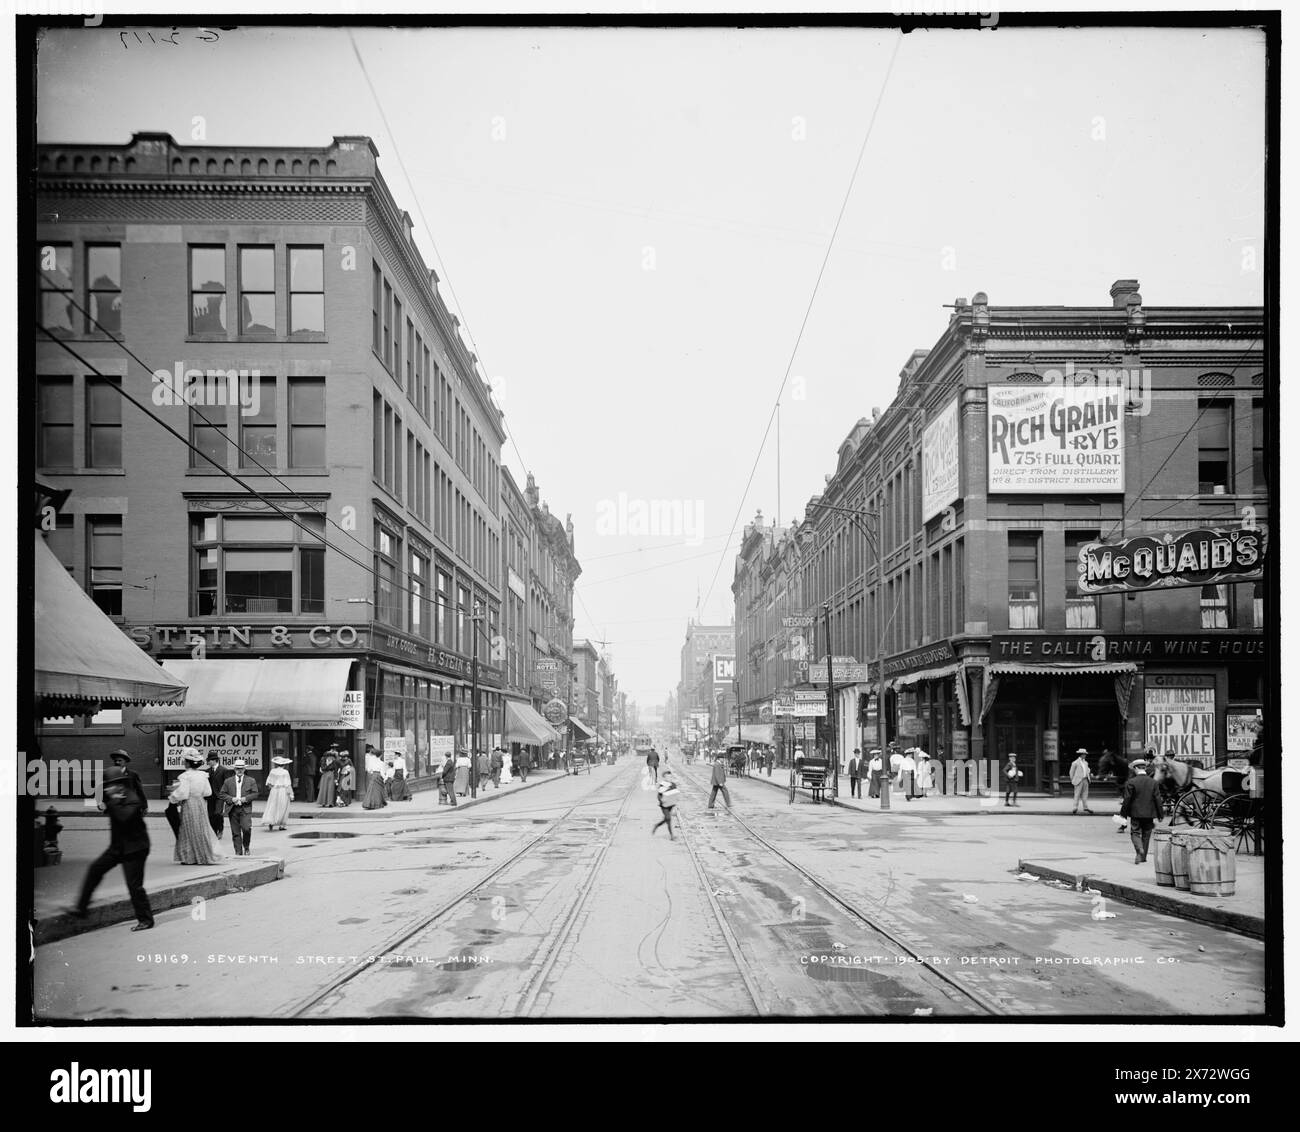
[{"x": 1056, "y": 440}]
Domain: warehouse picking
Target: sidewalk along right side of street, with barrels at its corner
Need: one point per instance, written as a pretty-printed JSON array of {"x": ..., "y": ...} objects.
[{"x": 1089, "y": 866}]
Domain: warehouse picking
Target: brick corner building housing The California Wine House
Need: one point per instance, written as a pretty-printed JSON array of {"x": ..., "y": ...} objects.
[{"x": 947, "y": 543}]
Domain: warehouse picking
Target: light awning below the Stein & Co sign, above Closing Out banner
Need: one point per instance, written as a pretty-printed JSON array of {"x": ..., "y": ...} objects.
[{"x": 276, "y": 692}]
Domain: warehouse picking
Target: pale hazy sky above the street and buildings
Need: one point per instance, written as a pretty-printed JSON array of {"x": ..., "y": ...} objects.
[{"x": 632, "y": 227}]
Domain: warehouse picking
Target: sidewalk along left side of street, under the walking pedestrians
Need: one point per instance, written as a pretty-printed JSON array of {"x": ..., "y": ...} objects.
[{"x": 174, "y": 886}]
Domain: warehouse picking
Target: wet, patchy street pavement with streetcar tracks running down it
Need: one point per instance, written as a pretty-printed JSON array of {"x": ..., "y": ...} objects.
[{"x": 561, "y": 904}]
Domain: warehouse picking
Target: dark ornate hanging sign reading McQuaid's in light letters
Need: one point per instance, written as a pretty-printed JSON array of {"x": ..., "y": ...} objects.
[{"x": 1193, "y": 558}]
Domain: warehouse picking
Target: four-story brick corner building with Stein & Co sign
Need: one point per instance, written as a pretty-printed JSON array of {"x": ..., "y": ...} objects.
[{"x": 276, "y": 313}]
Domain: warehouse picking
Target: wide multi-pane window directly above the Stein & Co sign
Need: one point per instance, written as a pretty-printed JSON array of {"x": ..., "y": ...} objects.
[{"x": 258, "y": 565}]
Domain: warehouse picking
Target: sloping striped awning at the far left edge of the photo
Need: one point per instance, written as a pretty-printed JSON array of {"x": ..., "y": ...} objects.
[{"x": 83, "y": 658}]
